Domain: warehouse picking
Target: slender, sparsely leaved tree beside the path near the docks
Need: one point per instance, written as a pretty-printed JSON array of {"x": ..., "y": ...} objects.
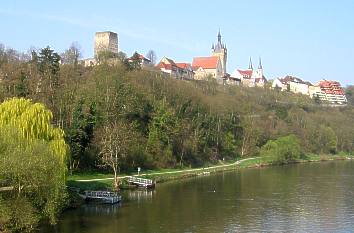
[{"x": 115, "y": 141}]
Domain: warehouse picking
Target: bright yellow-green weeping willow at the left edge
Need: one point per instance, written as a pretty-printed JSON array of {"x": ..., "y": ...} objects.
[{"x": 33, "y": 164}]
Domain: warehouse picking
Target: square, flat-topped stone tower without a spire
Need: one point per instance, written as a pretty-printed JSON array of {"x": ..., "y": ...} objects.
[{"x": 106, "y": 41}]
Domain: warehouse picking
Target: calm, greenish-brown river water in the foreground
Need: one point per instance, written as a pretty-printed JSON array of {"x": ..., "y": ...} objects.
[{"x": 313, "y": 197}]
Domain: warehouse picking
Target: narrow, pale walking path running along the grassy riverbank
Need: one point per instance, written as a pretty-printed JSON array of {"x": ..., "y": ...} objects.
[{"x": 174, "y": 172}]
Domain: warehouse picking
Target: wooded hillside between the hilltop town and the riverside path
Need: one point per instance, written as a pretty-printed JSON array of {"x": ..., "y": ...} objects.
[{"x": 163, "y": 122}]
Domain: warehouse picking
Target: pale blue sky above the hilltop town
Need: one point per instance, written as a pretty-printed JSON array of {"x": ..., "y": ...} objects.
[{"x": 311, "y": 40}]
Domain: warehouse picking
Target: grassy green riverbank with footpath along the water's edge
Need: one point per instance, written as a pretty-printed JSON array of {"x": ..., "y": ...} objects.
[{"x": 98, "y": 181}]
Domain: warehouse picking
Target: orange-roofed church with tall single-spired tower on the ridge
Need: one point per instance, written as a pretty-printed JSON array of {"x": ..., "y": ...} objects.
[{"x": 214, "y": 65}]
